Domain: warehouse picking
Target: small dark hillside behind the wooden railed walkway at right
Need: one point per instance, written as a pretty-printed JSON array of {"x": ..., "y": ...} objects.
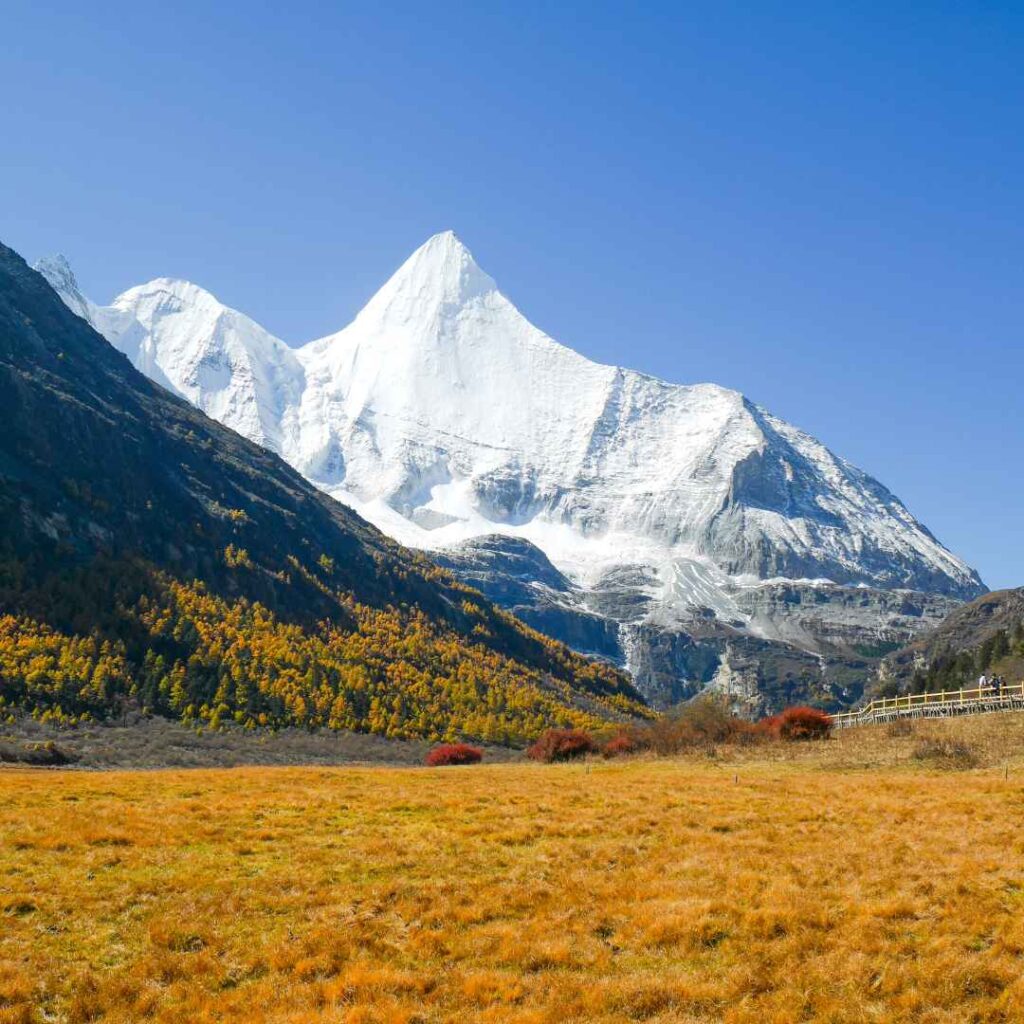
[{"x": 986, "y": 636}]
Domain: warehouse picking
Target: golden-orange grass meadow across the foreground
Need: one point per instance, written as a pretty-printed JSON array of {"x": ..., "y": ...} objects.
[{"x": 847, "y": 881}]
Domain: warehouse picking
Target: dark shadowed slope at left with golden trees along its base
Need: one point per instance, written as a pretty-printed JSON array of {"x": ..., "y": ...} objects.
[{"x": 151, "y": 559}]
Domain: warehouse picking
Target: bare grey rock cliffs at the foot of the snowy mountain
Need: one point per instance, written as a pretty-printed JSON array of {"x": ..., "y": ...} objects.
[{"x": 821, "y": 644}]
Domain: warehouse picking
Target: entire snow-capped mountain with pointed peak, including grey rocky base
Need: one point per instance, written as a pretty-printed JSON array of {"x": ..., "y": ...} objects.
[{"x": 680, "y": 531}]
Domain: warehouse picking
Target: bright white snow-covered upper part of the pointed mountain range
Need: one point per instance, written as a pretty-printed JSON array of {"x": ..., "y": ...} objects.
[{"x": 443, "y": 415}]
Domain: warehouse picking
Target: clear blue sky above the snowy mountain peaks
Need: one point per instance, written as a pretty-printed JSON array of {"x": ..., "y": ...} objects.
[{"x": 818, "y": 204}]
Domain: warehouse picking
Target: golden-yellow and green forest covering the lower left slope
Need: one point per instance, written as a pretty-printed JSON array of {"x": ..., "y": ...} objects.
[{"x": 138, "y": 641}]
